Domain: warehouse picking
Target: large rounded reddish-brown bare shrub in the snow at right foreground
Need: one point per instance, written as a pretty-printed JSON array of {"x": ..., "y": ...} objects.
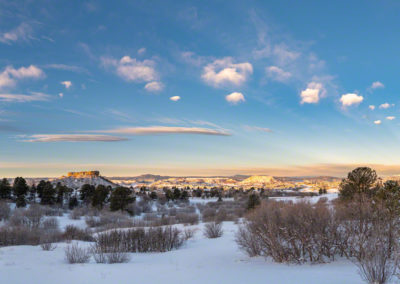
[{"x": 290, "y": 232}]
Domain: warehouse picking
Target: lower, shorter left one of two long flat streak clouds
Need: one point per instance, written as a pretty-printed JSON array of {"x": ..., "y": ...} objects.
[{"x": 72, "y": 138}]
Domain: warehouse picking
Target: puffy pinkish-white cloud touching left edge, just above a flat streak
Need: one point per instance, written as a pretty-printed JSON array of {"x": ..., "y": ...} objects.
[{"x": 10, "y": 75}]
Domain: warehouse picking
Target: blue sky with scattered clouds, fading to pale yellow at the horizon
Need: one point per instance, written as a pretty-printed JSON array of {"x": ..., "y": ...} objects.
[{"x": 199, "y": 87}]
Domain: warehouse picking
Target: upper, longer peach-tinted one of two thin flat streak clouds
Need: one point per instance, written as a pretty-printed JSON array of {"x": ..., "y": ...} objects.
[{"x": 152, "y": 130}]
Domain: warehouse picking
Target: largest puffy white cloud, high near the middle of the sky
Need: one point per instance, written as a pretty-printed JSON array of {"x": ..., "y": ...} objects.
[{"x": 223, "y": 72}]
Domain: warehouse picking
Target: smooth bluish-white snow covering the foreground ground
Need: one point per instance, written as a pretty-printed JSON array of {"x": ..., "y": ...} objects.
[{"x": 201, "y": 260}]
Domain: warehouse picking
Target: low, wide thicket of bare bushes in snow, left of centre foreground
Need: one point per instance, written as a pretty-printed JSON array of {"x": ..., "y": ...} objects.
[{"x": 140, "y": 240}]
